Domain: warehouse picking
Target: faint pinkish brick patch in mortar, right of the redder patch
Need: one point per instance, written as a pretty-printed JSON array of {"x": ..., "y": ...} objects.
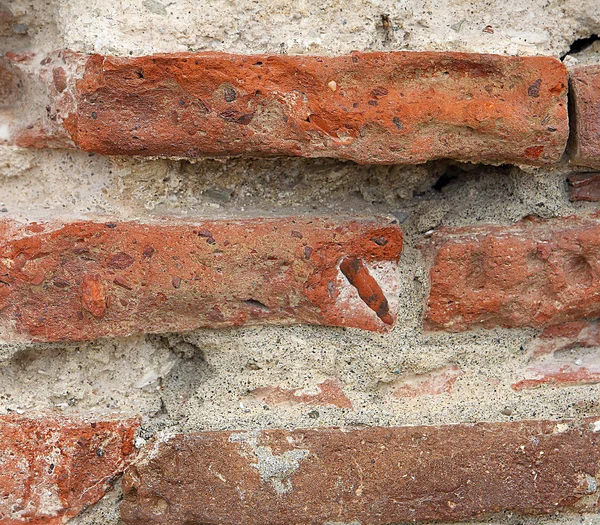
[{"x": 433, "y": 383}]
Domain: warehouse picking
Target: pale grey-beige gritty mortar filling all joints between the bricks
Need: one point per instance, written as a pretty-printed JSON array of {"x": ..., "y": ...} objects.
[{"x": 198, "y": 380}]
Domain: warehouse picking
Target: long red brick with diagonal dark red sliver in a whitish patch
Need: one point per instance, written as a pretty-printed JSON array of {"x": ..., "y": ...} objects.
[{"x": 81, "y": 280}]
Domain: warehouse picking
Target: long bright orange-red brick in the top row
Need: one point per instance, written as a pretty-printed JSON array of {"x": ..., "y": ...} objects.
[{"x": 395, "y": 107}]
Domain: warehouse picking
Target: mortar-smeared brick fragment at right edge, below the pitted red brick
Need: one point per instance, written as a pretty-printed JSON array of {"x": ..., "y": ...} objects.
[{"x": 563, "y": 355}]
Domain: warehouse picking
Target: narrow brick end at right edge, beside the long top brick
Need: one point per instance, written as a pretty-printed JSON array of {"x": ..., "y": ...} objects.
[{"x": 584, "y": 87}]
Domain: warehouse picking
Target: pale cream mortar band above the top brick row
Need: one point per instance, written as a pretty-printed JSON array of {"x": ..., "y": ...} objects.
[{"x": 147, "y": 26}]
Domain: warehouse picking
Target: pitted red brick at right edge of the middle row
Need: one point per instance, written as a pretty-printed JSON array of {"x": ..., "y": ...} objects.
[{"x": 534, "y": 273}]
